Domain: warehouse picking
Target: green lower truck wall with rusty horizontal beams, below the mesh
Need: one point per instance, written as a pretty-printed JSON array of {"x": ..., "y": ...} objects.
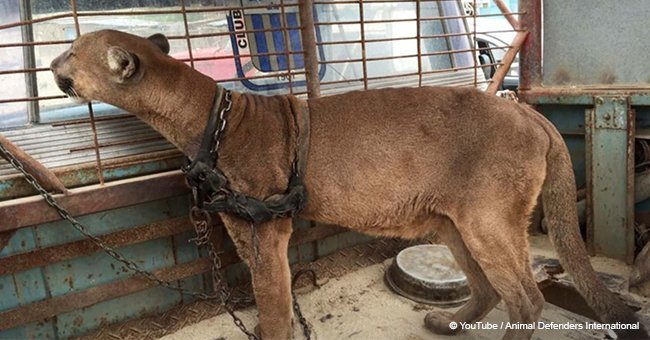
[{"x": 56, "y": 284}]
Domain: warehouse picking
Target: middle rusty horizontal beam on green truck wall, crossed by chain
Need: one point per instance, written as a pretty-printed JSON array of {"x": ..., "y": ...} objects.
[{"x": 44, "y": 256}]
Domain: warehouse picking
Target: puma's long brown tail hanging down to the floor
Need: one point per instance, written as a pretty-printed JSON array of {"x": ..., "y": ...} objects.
[{"x": 558, "y": 194}]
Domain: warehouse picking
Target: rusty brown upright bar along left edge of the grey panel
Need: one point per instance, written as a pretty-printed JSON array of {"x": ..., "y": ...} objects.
[{"x": 530, "y": 57}]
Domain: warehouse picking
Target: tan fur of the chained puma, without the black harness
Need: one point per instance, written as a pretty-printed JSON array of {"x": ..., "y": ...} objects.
[{"x": 394, "y": 162}]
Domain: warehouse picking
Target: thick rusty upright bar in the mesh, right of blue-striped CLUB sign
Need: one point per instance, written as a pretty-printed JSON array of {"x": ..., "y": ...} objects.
[{"x": 308, "y": 35}]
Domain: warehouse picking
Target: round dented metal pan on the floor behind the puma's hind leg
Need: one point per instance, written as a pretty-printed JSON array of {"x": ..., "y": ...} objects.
[{"x": 428, "y": 274}]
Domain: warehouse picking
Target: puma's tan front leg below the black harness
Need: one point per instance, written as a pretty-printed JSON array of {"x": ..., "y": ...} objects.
[{"x": 270, "y": 272}]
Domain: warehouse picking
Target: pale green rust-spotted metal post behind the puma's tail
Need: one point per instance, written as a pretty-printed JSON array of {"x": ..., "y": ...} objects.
[{"x": 610, "y": 181}]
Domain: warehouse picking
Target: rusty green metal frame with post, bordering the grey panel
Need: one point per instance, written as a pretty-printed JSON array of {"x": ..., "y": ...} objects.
[{"x": 609, "y": 134}]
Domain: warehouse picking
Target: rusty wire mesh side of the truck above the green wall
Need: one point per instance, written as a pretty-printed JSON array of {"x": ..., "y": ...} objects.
[{"x": 245, "y": 46}]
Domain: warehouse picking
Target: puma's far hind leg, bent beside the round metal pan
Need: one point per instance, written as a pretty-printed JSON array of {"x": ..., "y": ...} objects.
[{"x": 483, "y": 297}]
